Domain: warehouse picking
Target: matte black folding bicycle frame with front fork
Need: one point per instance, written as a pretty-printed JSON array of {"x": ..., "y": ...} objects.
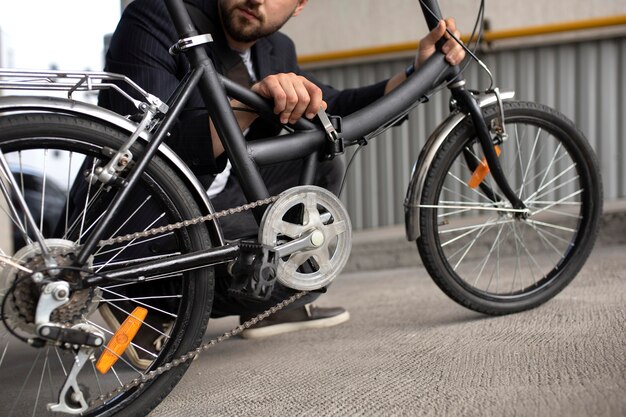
[{"x": 306, "y": 142}]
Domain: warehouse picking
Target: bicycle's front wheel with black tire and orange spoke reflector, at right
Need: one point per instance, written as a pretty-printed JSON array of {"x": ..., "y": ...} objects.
[{"x": 475, "y": 246}]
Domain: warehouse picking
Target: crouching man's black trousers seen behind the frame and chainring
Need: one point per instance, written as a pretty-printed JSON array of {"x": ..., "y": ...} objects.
[{"x": 278, "y": 178}]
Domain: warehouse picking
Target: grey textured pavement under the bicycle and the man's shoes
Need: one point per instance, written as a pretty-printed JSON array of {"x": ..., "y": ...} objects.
[{"x": 408, "y": 350}]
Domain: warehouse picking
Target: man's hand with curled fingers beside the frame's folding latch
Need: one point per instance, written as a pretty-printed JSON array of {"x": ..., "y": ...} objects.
[{"x": 293, "y": 96}]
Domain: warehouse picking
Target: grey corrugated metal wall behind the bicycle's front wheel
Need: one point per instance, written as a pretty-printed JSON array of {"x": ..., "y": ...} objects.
[{"x": 585, "y": 80}]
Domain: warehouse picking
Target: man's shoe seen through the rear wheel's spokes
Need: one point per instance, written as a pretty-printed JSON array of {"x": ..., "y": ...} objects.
[{"x": 148, "y": 341}]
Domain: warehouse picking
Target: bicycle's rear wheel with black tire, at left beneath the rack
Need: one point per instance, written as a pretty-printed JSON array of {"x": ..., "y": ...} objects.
[{"x": 51, "y": 151}]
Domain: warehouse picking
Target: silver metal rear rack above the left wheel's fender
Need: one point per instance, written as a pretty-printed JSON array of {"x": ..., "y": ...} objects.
[{"x": 73, "y": 81}]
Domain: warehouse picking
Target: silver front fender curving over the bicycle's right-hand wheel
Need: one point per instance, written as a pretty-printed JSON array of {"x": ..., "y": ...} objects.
[{"x": 422, "y": 165}]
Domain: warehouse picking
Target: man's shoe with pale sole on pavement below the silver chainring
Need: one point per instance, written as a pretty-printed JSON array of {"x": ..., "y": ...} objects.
[{"x": 285, "y": 321}]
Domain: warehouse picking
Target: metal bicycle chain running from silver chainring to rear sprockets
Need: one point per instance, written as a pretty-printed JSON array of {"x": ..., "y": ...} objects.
[{"x": 145, "y": 378}]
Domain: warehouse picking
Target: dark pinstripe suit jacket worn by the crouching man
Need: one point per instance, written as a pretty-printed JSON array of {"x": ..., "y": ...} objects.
[{"x": 139, "y": 49}]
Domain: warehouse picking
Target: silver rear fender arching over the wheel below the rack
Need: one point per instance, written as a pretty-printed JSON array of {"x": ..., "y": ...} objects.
[{"x": 30, "y": 104}]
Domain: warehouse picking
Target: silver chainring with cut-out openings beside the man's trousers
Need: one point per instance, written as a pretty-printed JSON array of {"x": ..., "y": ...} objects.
[{"x": 310, "y": 231}]
